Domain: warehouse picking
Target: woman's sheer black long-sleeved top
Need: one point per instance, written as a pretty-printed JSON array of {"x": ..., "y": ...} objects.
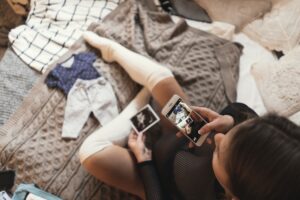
[{"x": 177, "y": 172}]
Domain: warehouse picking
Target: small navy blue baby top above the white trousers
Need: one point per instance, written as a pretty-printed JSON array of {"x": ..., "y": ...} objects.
[{"x": 64, "y": 77}]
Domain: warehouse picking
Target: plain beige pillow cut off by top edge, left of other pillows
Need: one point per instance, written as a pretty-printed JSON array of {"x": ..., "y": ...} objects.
[{"x": 236, "y": 12}]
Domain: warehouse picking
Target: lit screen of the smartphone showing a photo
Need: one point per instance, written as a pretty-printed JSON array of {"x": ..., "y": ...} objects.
[{"x": 186, "y": 120}]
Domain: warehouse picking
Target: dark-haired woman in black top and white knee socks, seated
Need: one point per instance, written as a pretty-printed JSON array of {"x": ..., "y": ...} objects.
[{"x": 245, "y": 156}]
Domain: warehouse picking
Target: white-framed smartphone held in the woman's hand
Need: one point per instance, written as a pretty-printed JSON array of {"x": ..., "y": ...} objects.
[{"x": 188, "y": 121}]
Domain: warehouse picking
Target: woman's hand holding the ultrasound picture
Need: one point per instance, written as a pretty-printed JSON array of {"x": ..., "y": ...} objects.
[{"x": 137, "y": 145}]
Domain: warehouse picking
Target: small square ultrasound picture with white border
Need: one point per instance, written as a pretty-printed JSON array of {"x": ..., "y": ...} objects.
[{"x": 144, "y": 119}]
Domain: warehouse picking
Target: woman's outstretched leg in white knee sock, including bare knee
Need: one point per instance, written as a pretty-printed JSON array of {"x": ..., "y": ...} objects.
[{"x": 158, "y": 79}]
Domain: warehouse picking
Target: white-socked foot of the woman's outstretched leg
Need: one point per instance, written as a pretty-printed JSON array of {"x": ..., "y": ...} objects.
[{"x": 106, "y": 46}]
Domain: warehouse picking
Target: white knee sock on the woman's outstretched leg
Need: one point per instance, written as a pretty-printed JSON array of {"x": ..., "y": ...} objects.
[{"x": 141, "y": 69}]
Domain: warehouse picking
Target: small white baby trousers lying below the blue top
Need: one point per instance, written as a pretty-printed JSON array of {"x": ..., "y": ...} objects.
[{"x": 88, "y": 96}]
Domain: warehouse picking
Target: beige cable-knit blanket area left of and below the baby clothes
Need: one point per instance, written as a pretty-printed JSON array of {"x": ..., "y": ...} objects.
[{"x": 31, "y": 144}]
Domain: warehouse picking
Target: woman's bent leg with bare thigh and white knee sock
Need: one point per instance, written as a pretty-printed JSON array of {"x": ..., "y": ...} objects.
[{"x": 103, "y": 155}]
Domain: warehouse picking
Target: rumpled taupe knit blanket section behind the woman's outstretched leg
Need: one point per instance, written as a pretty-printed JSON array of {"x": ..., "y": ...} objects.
[{"x": 204, "y": 65}]
